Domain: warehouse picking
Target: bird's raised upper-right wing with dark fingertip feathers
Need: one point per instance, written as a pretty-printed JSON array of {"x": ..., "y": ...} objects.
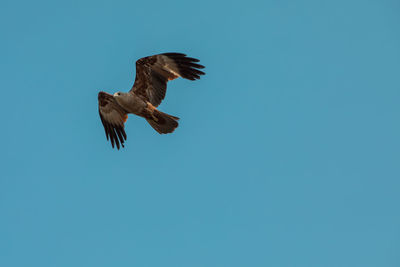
[{"x": 153, "y": 73}]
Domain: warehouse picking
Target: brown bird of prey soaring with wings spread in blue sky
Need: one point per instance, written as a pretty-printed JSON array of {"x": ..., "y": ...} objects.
[{"x": 152, "y": 75}]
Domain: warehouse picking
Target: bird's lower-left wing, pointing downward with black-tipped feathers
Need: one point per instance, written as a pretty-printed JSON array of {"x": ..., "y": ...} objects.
[{"x": 113, "y": 118}]
